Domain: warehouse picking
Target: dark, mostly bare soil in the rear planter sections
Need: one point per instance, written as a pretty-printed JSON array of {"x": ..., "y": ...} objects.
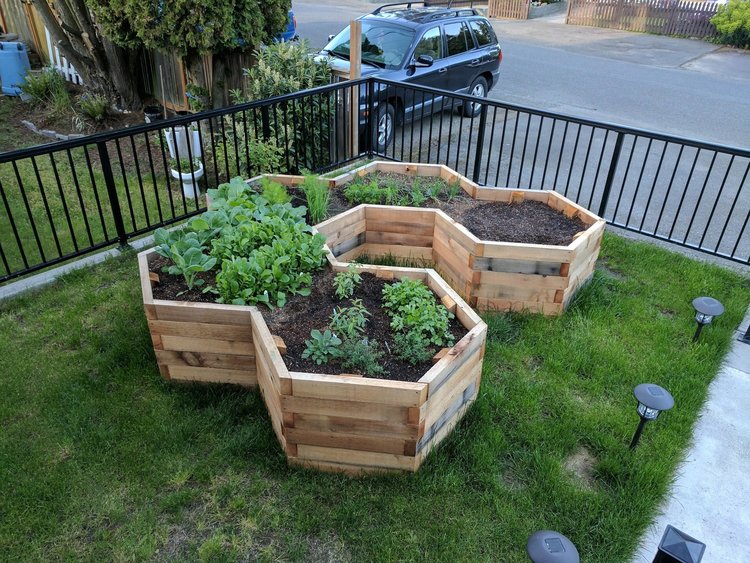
[{"x": 530, "y": 222}]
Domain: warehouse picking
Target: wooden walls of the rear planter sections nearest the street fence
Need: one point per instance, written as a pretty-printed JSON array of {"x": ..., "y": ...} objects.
[{"x": 491, "y": 275}]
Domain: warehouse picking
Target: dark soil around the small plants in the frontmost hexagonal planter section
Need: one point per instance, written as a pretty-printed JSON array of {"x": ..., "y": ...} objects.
[{"x": 301, "y": 315}]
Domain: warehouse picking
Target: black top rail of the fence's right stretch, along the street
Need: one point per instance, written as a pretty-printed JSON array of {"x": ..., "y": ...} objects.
[{"x": 697, "y": 143}]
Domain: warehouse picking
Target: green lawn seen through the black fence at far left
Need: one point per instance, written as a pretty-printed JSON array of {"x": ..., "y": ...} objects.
[{"x": 47, "y": 190}]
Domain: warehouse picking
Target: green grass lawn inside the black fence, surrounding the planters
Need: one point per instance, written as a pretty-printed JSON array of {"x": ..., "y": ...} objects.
[{"x": 102, "y": 459}]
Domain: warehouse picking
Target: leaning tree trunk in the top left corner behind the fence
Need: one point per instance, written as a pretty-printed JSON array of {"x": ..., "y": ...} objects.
[{"x": 105, "y": 68}]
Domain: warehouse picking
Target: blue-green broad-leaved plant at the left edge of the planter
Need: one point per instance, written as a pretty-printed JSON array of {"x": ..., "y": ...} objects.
[{"x": 185, "y": 250}]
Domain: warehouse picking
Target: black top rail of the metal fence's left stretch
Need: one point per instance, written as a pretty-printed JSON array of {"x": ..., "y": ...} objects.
[{"x": 48, "y": 148}]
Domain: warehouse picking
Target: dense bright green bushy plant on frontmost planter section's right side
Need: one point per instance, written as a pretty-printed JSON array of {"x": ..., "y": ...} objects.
[{"x": 413, "y": 308}]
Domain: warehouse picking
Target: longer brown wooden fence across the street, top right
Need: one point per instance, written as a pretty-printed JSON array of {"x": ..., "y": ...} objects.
[{"x": 662, "y": 17}]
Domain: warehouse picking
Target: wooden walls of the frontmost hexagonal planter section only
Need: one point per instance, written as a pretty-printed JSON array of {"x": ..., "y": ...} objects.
[{"x": 354, "y": 424}]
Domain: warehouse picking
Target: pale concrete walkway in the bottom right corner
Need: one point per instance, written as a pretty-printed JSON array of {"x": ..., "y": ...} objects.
[{"x": 710, "y": 499}]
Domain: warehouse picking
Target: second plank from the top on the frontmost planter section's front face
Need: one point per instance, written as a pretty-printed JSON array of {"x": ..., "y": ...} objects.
[{"x": 346, "y": 409}]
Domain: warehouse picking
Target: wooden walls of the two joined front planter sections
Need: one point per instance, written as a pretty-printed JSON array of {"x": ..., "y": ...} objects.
[{"x": 331, "y": 422}]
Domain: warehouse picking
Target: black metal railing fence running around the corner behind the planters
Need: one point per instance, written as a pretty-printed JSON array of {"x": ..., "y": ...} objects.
[{"x": 66, "y": 199}]
